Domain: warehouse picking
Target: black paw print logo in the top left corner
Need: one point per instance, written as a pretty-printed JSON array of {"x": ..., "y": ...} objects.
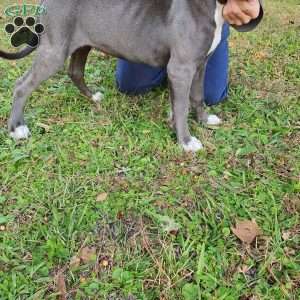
[{"x": 25, "y": 31}]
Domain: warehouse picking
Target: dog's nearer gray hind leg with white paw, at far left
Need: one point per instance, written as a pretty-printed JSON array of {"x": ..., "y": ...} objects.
[{"x": 48, "y": 61}]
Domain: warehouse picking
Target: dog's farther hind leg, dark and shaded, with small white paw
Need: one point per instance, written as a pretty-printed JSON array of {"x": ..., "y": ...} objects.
[{"x": 76, "y": 72}]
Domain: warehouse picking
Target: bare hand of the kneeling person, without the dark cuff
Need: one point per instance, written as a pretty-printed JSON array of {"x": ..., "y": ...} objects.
[{"x": 240, "y": 12}]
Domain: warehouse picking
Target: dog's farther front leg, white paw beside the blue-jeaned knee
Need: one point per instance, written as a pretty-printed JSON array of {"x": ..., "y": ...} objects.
[{"x": 197, "y": 100}]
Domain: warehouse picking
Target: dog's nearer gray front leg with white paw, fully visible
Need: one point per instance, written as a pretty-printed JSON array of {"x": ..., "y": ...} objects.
[{"x": 180, "y": 78}]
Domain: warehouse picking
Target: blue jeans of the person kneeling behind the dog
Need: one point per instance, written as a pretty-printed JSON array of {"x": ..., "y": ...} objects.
[{"x": 135, "y": 78}]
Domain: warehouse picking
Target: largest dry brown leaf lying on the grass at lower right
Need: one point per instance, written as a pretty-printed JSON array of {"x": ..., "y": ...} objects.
[{"x": 246, "y": 231}]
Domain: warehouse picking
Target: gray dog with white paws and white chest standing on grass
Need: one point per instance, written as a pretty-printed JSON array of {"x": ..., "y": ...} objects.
[{"x": 179, "y": 34}]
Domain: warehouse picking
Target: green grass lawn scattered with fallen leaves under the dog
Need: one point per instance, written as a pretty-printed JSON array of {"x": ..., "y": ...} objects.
[{"x": 101, "y": 203}]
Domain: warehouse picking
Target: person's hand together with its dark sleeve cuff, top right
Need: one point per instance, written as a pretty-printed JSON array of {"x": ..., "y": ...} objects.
[{"x": 243, "y": 15}]
